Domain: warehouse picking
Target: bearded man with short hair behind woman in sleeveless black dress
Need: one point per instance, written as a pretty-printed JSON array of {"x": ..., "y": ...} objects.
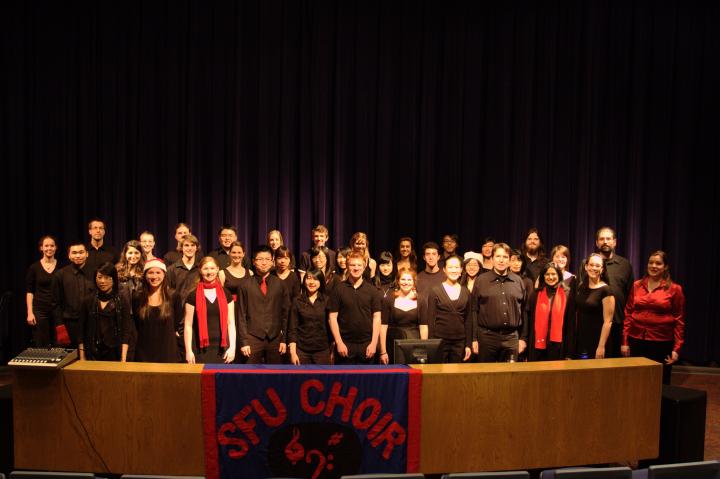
[{"x": 620, "y": 279}]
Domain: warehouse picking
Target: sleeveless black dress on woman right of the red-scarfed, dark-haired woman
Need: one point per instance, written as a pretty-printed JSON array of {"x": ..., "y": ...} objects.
[{"x": 589, "y": 307}]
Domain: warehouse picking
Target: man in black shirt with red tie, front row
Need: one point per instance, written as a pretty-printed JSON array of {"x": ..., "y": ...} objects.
[{"x": 263, "y": 308}]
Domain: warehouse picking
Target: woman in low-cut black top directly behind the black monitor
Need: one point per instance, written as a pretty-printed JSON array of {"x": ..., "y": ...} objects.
[{"x": 403, "y": 315}]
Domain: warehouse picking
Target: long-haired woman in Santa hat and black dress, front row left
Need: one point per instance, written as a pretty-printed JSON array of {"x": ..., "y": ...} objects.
[{"x": 155, "y": 318}]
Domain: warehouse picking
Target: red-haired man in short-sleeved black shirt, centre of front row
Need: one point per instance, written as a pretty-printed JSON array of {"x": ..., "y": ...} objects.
[{"x": 355, "y": 310}]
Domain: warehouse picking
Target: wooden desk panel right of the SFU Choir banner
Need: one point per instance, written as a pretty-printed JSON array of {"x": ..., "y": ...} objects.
[{"x": 533, "y": 415}]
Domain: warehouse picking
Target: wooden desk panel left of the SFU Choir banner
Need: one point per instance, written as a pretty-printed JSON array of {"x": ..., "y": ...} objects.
[{"x": 121, "y": 418}]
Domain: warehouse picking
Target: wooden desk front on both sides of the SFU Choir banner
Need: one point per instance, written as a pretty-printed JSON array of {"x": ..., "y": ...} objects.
[{"x": 141, "y": 418}]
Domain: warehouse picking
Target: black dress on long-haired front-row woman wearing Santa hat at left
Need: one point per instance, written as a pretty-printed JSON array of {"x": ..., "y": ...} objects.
[{"x": 156, "y": 338}]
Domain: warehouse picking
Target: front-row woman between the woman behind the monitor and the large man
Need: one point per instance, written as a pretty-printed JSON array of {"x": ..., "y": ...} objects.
[{"x": 449, "y": 314}]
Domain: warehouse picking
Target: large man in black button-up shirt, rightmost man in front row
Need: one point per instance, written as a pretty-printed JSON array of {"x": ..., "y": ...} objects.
[{"x": 500, "y": 298}]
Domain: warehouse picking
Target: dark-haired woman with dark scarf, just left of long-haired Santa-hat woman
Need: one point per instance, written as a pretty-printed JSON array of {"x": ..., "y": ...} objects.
[{"x": 105, "y": 319}]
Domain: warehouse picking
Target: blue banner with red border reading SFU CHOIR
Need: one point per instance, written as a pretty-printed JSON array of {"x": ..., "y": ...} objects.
[{"x": 310, "y": 421}]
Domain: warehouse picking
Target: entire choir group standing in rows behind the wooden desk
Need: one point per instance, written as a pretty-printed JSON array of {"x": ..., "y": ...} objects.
[{"x": 344, "y": 307}]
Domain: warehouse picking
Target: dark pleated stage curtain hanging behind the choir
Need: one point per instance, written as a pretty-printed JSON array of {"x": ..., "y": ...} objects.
[{"x": 395, "y": 118}]
